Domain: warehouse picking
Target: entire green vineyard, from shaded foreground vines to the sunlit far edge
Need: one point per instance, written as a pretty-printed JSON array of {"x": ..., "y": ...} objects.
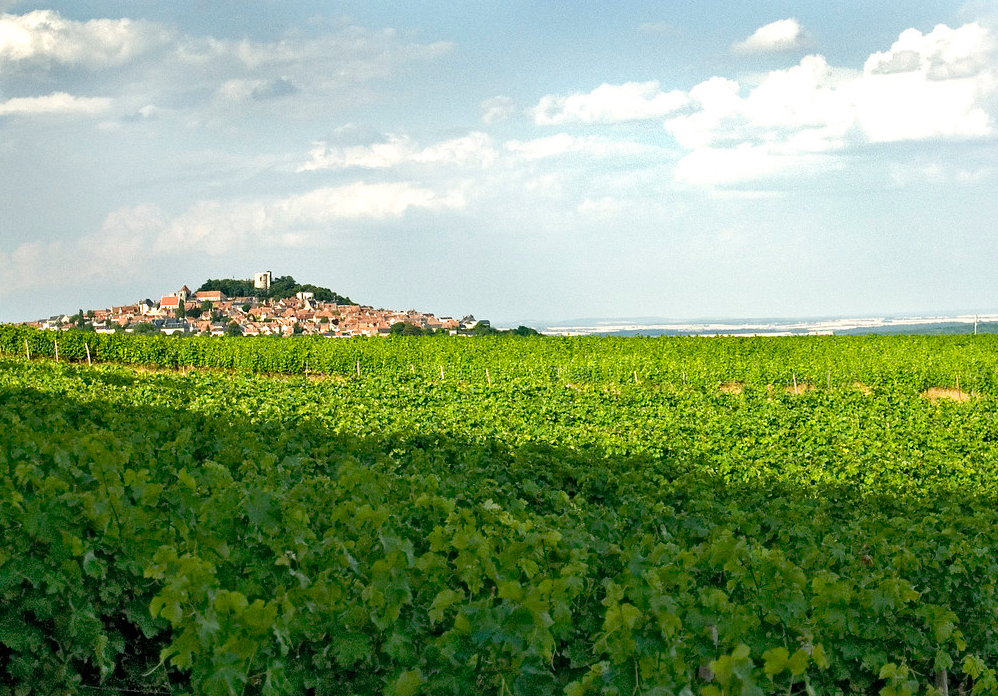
[{"x": 505, "y": 515}]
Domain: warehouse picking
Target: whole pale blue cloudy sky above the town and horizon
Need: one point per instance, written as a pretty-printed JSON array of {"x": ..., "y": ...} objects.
[{"x": 518, "y": 160}]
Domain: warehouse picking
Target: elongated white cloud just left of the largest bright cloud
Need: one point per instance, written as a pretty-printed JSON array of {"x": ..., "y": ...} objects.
[{"x": 631, "y": 101}]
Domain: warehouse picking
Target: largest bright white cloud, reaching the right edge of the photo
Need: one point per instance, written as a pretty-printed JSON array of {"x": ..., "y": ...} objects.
[{"x": 934, "y": 86}]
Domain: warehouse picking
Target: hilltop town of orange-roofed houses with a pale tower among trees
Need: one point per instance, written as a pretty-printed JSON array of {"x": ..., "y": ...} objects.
[{"x": 210, "y": 312}]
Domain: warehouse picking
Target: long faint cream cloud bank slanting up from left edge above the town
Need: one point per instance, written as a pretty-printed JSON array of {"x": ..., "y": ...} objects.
[{"x": 131, "y": 240}]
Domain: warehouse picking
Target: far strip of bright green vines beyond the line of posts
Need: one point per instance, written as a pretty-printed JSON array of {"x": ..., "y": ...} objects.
[{"x": 920, "y": 362}]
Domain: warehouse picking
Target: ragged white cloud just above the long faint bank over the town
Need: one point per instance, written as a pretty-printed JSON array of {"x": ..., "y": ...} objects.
[{"x": 473, "y": 150}]
